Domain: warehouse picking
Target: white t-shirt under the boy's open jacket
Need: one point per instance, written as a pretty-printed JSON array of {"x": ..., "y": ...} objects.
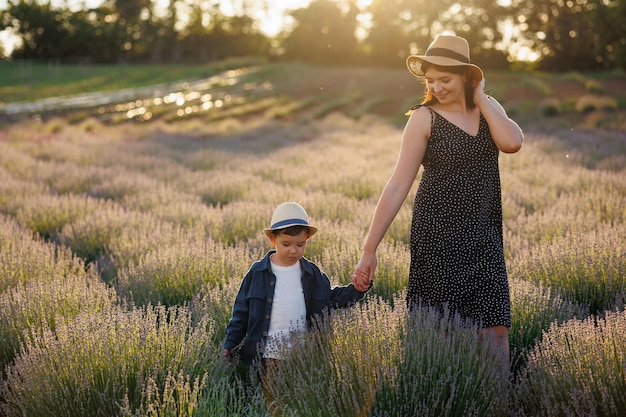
[{"x": 288, "y": 310}]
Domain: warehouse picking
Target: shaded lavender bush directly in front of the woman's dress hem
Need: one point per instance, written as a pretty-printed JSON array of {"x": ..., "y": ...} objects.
[{"x": 443, "y": 369}]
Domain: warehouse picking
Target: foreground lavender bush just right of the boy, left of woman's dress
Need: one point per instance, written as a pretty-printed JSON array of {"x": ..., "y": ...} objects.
[{"x": 334, "y": 371}]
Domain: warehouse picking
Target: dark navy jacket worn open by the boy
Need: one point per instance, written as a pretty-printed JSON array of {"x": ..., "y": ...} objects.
[{"x": 252, "y": 309}]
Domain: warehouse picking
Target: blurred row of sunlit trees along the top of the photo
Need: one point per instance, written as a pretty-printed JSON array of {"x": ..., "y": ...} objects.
[{"x": 564, "y": 34}]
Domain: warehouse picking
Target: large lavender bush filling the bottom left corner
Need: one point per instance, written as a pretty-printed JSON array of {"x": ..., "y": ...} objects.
[{"x": 125, "y": 359}]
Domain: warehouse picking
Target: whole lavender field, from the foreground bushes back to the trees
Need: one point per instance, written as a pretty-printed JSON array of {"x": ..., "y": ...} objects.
[{"x": 129, "y": 214}]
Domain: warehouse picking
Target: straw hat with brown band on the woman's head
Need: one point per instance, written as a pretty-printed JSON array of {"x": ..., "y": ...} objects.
[{"x": 445, "y": 51}]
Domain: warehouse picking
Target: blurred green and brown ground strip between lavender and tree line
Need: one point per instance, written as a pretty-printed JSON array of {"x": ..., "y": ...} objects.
[{"x": 241, "y": 88}]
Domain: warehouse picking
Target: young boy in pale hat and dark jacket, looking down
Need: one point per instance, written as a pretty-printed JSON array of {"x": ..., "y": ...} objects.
[{"x": 282, "y": 292}]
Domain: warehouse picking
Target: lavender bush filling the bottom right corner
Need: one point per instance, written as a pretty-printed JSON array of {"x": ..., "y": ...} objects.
[{"x": 578, "y": 369}]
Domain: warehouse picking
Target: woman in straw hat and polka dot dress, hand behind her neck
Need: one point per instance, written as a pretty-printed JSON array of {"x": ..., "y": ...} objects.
[{"x": 457, "y": 258}]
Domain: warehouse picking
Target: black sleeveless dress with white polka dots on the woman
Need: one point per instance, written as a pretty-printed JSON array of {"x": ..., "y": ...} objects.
[{"x": 457, "y": 257}]
